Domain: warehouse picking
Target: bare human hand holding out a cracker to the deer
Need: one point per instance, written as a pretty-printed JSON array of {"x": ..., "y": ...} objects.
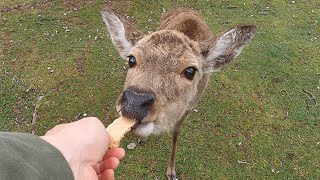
[{"x": 84, "y": 144}]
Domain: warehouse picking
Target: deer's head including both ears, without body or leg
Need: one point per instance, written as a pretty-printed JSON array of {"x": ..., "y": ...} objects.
[{"x": 166, "y": 70}]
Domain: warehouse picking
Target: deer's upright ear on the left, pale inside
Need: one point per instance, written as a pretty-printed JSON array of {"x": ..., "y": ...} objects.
[{"x": 117, "y": 33}]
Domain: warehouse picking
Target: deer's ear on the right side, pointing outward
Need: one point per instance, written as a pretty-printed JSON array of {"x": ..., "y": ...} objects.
[{"x": 227, "y": 47}]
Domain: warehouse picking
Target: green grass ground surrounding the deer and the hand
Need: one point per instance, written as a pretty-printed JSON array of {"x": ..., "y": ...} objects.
[{"x": 259, "y": 119}]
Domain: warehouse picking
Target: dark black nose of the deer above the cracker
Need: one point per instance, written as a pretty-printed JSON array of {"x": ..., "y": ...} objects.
[{"x": 136, "y": 104}]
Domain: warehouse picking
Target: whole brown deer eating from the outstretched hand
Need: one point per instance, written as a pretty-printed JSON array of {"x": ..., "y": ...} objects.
[{"x": 169, "y": 69}]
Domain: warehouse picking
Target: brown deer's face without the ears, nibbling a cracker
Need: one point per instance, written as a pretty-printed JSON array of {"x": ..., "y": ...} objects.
[{"x": 164, "y": 70}]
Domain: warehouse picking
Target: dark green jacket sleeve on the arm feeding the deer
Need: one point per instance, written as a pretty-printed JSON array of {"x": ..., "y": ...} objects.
[{"x": 28, "y": 157}]
